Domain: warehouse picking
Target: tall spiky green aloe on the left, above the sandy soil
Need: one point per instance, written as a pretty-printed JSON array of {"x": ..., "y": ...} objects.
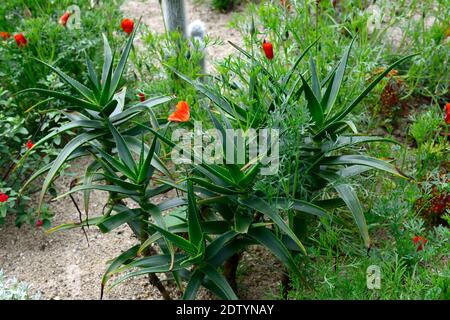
[{"x": 95, "y": 113}]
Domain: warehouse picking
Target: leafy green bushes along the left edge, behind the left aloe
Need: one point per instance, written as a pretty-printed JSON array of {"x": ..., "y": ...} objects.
[{"x": 26, "y": 117}]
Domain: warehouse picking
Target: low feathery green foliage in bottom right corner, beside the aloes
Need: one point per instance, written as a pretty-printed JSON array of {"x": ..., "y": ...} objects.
[{"x": 333, "y": 272}]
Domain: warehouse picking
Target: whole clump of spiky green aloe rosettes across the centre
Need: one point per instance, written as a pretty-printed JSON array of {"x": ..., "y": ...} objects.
[{"x": 199, "y": 236}]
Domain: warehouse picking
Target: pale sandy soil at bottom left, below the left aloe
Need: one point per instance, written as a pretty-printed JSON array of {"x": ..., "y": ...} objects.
[{"x": 62, "y": 265}]
